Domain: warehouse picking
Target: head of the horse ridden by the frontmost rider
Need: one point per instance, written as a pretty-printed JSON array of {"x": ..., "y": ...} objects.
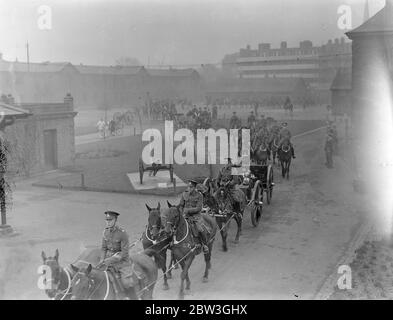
[{"x": 83, "y": 284}]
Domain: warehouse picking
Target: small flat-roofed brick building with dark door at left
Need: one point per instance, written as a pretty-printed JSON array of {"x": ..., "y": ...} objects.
[{"x": 41, "y": 136}]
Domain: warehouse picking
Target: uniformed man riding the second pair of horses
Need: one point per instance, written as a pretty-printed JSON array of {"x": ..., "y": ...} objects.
[{"x": 191, "y": 202}]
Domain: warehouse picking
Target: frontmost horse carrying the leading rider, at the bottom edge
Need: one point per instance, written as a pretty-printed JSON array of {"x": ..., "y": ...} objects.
[{"x": 92, "y": 283}]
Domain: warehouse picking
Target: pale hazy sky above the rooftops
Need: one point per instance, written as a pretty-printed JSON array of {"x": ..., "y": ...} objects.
[{"x": 165, "y": 32}]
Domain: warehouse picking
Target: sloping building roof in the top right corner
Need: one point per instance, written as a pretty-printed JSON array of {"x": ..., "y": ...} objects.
[{"x": 381, "y": 22}]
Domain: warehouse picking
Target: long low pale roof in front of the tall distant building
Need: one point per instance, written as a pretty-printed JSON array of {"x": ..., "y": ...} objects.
[{"x": 268, "y": 85}]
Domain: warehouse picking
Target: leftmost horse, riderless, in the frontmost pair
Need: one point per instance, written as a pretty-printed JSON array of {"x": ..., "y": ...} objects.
[{"x": 60, "y": 280}]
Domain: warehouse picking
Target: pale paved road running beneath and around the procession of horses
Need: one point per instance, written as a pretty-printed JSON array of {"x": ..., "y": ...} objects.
[{"x": 301, "y": 236}]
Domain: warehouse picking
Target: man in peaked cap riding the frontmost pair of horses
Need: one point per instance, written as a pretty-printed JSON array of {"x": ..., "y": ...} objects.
[{"x": 114, "y": 252}]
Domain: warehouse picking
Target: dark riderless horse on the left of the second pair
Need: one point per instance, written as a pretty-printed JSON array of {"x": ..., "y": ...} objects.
[{"x": 155, "y": 237}]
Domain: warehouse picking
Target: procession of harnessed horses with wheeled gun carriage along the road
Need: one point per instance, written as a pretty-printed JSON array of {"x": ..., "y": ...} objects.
[{"x": 170, "y": 232}]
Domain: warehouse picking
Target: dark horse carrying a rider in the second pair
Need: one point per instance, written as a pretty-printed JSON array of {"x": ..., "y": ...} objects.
[{"x": 184, "y": 246}]
